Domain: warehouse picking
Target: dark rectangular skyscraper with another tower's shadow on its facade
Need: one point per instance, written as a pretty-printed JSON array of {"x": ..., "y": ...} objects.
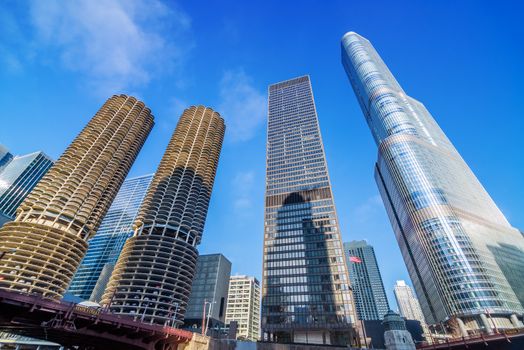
[{"x": 306, "y": 296}]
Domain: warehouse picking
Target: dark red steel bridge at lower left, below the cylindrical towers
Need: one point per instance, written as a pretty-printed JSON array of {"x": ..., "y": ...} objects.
[{"x": 74, "y": 325}]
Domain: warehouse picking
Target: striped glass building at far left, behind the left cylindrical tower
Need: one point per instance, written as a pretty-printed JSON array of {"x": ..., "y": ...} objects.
[{"x": 18, "y": 177}]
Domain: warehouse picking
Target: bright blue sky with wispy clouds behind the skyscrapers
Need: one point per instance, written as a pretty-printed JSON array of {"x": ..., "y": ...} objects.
[{"x": 463, "y": 60}]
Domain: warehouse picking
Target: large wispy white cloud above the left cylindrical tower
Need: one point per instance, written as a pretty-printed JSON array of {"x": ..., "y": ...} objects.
[{"x": 116, "y": 44}]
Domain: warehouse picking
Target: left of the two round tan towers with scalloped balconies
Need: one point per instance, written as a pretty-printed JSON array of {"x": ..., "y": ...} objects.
[{"x": 55, "y": 221}]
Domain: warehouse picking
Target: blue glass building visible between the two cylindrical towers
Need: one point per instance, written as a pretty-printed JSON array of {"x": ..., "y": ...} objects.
[{"x": 105, "y": 247}]
